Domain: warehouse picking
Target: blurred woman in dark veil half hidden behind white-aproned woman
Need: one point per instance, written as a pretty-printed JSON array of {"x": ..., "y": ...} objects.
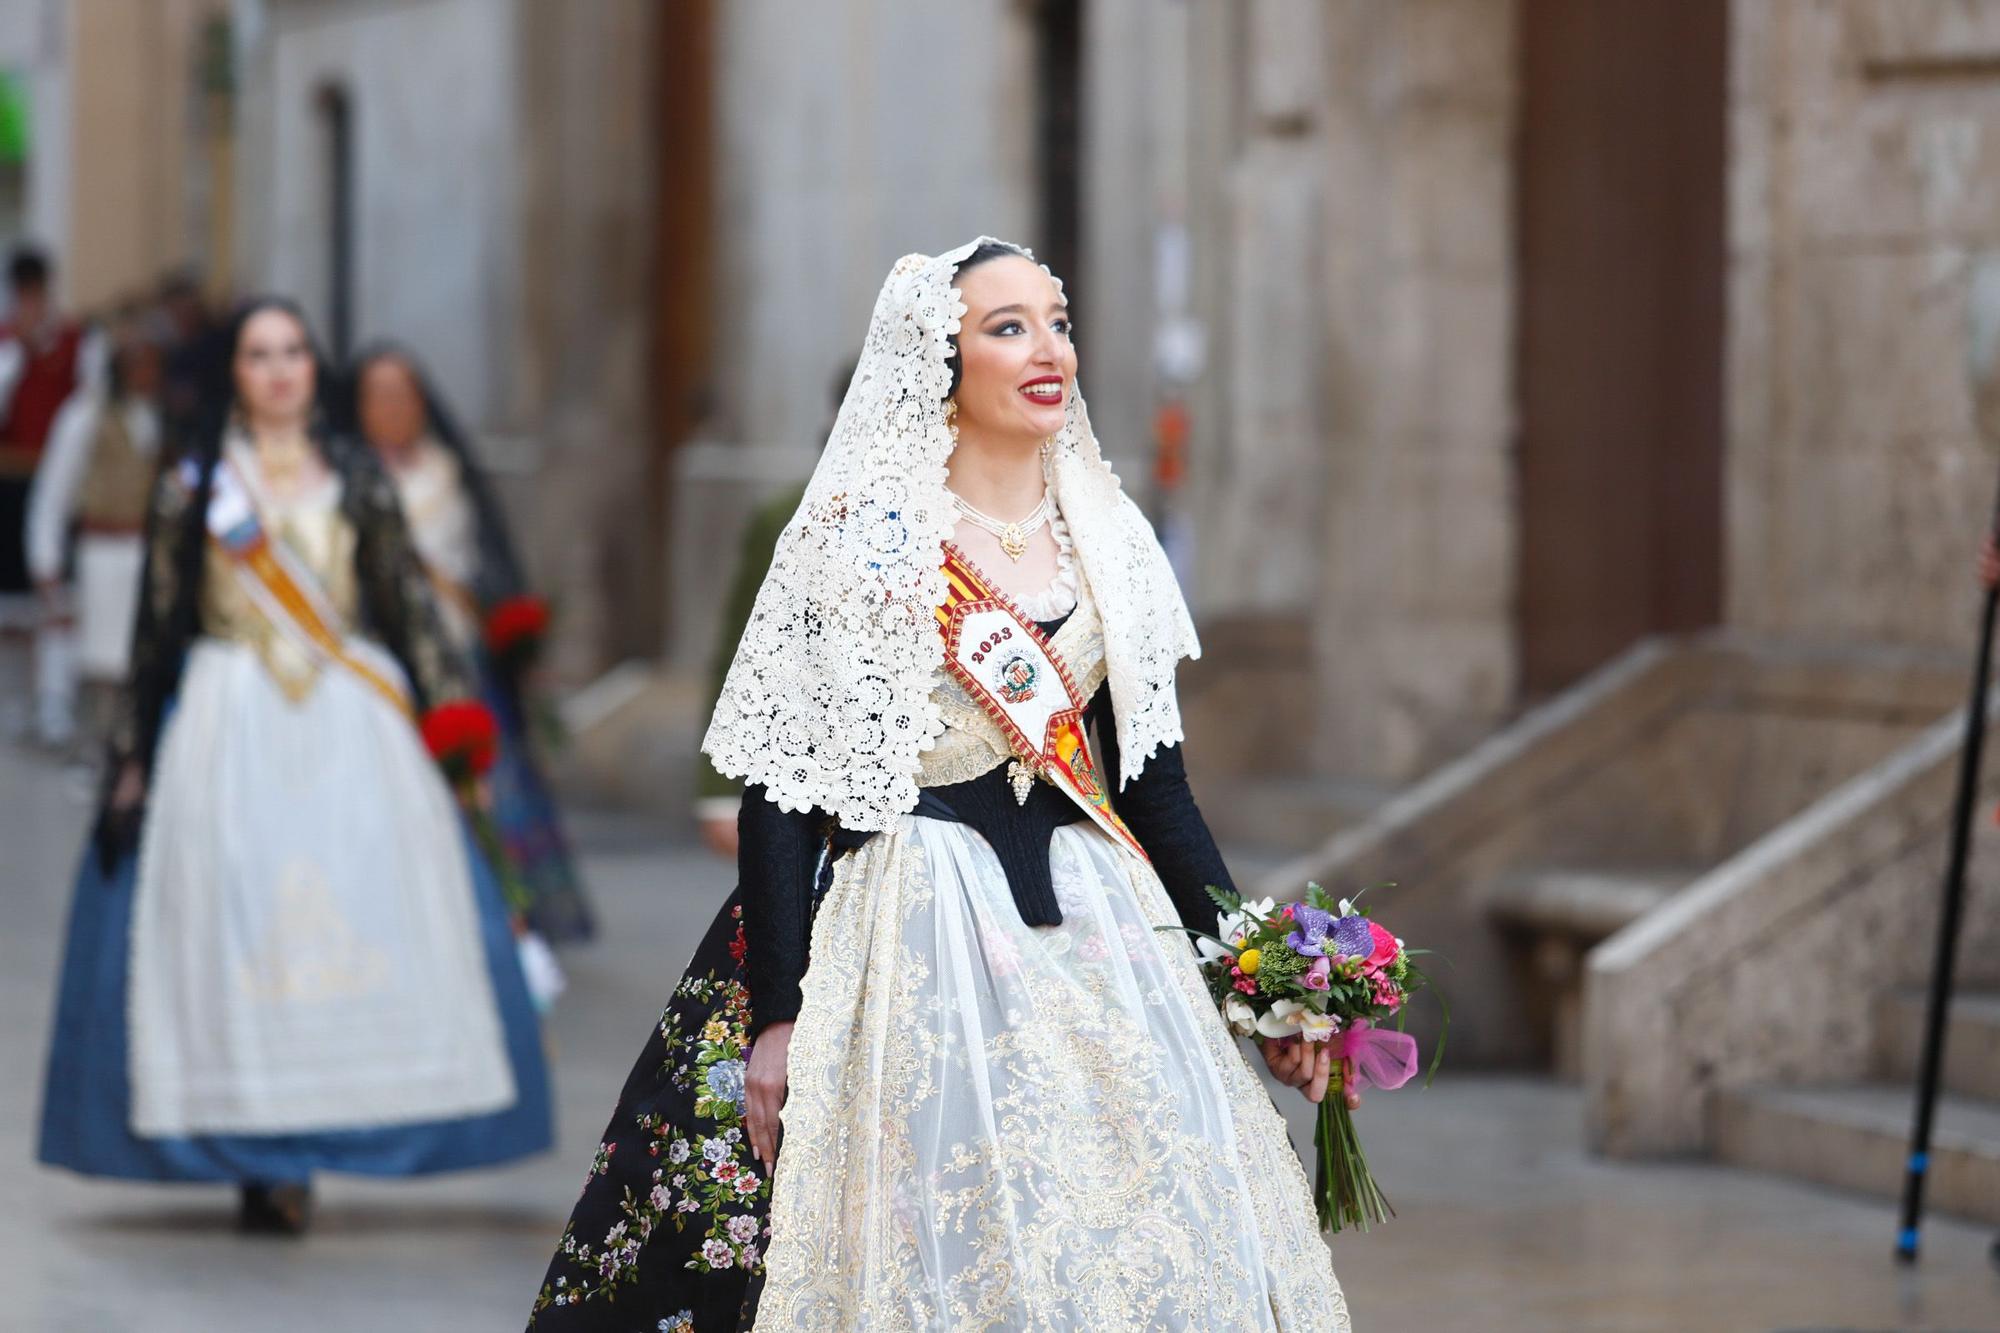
[{"x": 461, "y": 533}]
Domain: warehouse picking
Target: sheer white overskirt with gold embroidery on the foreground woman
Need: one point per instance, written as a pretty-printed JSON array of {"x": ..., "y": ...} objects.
[{"x": 995, "y": 1126}]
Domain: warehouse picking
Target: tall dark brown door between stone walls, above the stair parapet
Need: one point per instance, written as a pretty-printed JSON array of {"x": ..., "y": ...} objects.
[{"x": 1621, "y": 229}]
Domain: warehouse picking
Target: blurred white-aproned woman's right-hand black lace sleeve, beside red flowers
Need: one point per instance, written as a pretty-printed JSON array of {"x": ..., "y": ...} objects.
[{"x": 395, "y": 589}]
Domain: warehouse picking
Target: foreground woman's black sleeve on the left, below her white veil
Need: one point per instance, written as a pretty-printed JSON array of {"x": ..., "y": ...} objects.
[{"x": 777, "y": 862}]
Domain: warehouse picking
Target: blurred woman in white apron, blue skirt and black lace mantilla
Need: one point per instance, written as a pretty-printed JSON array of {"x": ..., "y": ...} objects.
[{"x": 283, "y": 956}]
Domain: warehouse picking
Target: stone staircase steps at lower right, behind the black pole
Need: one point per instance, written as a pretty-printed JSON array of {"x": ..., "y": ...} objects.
[{"x": 1857, "y": 1136}]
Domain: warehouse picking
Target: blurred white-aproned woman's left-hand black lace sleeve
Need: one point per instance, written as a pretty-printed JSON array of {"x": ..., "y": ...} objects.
[{"x": 165, "y": 623}]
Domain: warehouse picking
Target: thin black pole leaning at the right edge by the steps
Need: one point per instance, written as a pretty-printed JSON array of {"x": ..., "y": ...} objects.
[{"x": 1949, "y": 920}]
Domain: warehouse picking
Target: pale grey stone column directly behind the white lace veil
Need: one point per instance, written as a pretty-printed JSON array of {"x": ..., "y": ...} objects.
[{"x": 849, "y": 135}]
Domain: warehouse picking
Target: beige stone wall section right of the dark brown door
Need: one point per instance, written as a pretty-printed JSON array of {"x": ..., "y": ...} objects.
[{"x": 1865, "y": 169}]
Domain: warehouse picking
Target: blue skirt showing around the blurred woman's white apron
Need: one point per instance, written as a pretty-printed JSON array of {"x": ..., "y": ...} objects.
[{"x": 89, "y": 1098}]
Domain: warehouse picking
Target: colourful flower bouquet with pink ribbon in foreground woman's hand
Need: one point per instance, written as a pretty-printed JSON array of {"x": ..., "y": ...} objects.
[{"x": 1321, "y": 970}]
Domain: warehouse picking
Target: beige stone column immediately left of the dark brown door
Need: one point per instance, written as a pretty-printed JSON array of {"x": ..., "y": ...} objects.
[{"x": 1415, "y": 535}]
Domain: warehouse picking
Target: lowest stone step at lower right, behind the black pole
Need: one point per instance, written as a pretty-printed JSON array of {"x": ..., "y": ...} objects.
[{"x": 1859, "y": 1138}]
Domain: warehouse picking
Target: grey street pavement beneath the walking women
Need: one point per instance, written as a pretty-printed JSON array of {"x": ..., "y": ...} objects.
[{"x": 1505, "y": 1224}]
